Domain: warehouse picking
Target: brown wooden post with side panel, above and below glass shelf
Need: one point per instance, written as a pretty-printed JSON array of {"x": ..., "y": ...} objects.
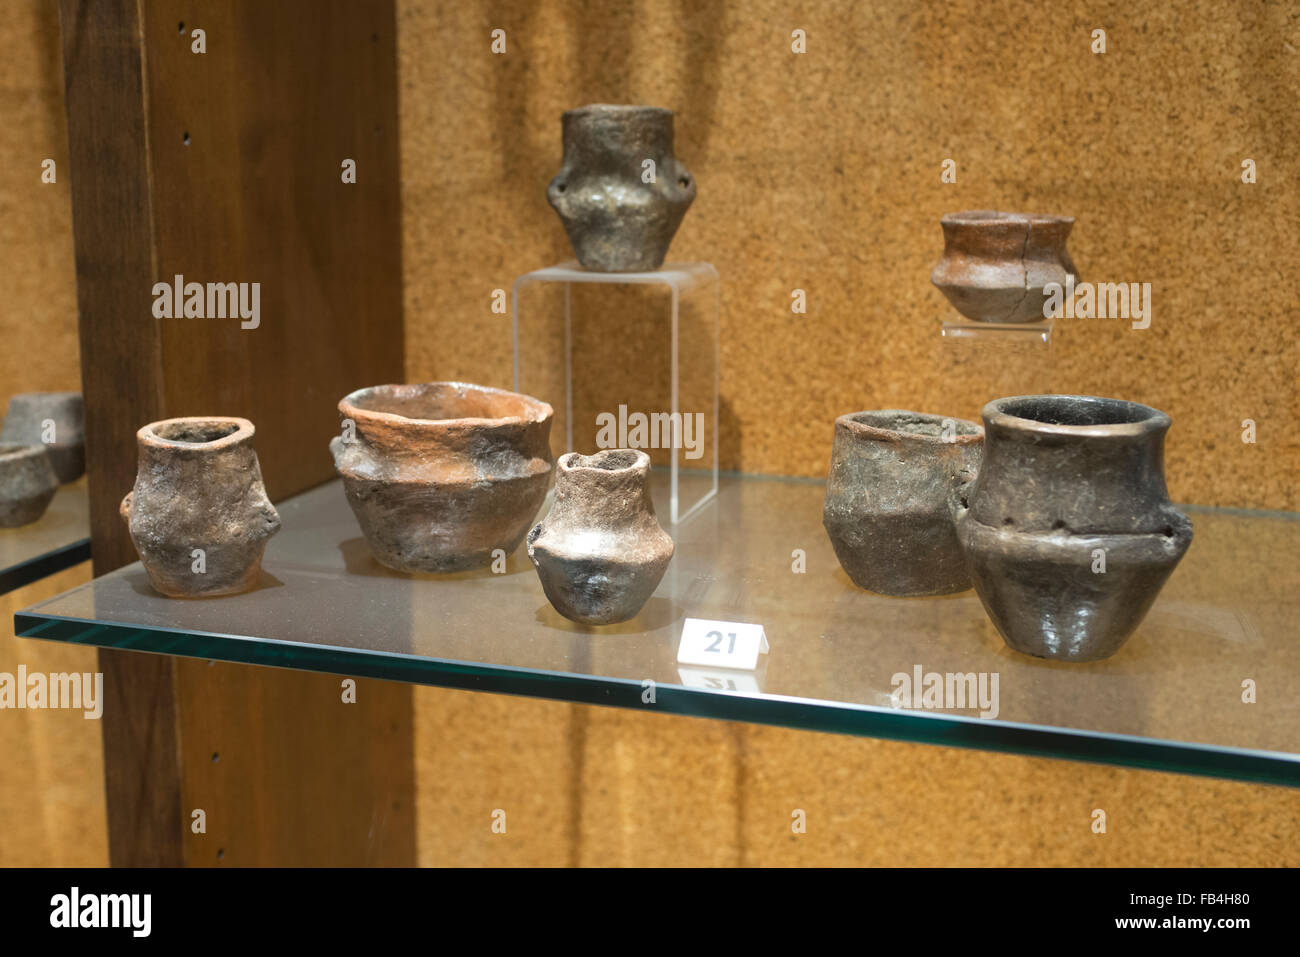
[{"x": 222, "y": 161}]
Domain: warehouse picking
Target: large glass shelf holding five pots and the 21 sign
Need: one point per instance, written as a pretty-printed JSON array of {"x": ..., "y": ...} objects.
[{"x": 1171, "y": 700}]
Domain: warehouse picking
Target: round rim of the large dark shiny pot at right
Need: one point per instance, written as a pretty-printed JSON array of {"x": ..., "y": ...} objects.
[{"x": 1043, "y": 414}]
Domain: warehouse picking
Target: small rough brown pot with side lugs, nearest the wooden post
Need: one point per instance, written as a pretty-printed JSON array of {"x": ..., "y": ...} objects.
[{"x": 198, "y": 488}]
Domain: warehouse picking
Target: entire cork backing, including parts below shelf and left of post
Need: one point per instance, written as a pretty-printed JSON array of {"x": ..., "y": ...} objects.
[{"x": 820, "y": 174}]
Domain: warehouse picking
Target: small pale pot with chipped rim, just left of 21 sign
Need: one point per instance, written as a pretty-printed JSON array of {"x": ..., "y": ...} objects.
[{"x": 601, "y": 552}]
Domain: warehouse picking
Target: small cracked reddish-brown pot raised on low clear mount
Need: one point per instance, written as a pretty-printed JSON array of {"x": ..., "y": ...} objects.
[{"x": 996, "y": 266}]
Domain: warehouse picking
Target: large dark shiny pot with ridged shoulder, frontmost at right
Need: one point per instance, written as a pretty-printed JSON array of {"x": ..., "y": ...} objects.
[{"x": 1071, "y": 534}]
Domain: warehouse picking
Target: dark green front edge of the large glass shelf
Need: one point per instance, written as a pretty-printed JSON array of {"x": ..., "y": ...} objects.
[{"x": 804, "y": 714}]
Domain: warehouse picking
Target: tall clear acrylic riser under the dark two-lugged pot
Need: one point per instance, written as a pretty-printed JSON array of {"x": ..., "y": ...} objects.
[{"x": 635, "y": 356}]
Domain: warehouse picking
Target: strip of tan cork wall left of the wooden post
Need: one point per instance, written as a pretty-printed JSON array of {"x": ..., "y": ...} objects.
[{"x": 53, "y": 781}]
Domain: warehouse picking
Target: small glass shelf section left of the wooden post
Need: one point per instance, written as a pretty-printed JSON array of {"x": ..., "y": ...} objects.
[{"x": 58, "y": 540}]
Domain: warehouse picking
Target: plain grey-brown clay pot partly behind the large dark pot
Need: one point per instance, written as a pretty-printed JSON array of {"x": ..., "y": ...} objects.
[{"x": 891, "y": 496}]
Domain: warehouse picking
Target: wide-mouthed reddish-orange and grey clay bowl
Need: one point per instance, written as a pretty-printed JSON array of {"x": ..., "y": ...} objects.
[{"x": 441, "y": 475}]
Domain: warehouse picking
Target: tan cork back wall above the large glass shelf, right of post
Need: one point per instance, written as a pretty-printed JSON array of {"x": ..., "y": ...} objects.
[{"x": 824, "y": 172}]
